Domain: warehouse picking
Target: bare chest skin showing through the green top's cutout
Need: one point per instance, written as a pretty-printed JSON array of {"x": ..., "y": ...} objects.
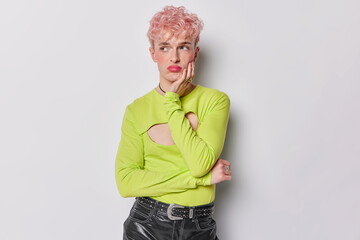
[{"x": 160, "y": 133}]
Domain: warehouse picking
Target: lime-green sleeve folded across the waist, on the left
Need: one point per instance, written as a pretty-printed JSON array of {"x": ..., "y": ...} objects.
[{"x": 133, "y": 180}]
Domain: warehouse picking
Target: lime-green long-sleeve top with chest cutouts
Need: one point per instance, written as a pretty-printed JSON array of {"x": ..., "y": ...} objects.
[{"x": 179, "y": 173}]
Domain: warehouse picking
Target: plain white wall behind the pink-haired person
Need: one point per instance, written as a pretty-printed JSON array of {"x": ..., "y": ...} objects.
[{"x": 291, "y": 69}]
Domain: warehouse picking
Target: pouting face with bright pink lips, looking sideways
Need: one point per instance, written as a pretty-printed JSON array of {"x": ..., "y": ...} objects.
[{"x": 173, "y": 55}]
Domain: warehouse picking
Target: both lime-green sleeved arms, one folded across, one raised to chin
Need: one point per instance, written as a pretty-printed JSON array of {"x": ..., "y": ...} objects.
[{"x": 200, "y": 150}]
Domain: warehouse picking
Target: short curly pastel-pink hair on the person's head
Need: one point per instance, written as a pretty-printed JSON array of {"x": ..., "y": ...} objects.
[{"x": 176, "y": 20}]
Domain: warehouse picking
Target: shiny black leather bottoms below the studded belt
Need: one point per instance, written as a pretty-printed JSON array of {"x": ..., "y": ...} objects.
[{"x": 145, "y": 223}]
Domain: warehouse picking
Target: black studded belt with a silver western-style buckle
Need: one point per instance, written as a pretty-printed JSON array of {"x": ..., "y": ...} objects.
[{"x": 177, "y": 212}]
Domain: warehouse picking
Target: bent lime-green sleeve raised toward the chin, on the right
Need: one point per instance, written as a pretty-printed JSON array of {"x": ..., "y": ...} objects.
[{"x": 201, "y": 148}]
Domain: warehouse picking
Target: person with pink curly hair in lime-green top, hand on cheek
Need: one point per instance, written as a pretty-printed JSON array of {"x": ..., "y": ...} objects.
[{"x": 172, "y": 137}]
